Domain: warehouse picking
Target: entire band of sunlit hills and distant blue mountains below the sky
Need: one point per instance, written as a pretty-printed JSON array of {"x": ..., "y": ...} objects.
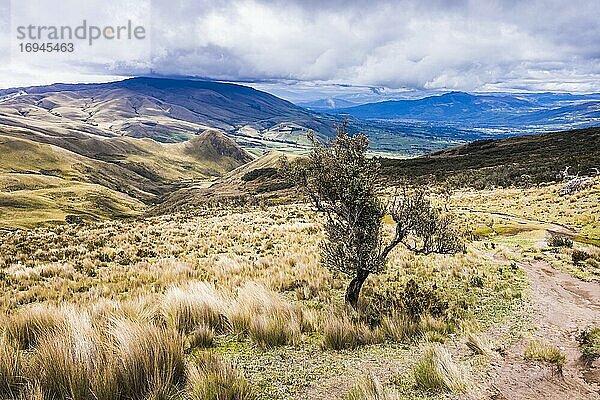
[{"x": 114, "y": 149}]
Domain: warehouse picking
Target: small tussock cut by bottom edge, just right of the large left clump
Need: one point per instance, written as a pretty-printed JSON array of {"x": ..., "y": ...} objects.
[{"x": 212, "y": 378}]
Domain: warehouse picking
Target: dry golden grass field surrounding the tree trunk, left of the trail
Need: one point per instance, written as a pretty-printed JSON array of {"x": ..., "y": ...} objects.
[{"x": 245, "y": 283}]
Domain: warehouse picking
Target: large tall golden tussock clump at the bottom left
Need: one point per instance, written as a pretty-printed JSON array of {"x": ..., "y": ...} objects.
[{"x": 118, "y": 358}]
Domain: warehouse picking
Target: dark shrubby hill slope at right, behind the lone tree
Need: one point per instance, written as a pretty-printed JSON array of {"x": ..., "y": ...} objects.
[{"x": 502, "y": 162}]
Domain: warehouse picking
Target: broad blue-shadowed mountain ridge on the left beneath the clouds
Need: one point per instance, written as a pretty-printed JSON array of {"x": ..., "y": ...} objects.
[{"x": 168, "y": 110}]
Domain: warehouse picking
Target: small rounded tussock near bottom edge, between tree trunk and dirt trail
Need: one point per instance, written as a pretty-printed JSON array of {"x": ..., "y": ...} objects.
[{"x": 437, "y": 371}]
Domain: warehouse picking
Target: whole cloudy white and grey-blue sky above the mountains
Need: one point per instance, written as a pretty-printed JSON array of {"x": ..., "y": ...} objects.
[{"x": 399, "y": 47}]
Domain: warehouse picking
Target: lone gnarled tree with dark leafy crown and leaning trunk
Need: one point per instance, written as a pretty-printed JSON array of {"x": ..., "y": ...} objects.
[{"x": 341, "y": 182}]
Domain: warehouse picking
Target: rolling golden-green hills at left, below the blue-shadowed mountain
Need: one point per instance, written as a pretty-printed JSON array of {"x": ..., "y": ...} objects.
[{"x": 42, "y": 183}]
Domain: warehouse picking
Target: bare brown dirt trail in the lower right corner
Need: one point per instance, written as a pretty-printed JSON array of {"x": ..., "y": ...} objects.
[{"x": 562, "y": 306}]
